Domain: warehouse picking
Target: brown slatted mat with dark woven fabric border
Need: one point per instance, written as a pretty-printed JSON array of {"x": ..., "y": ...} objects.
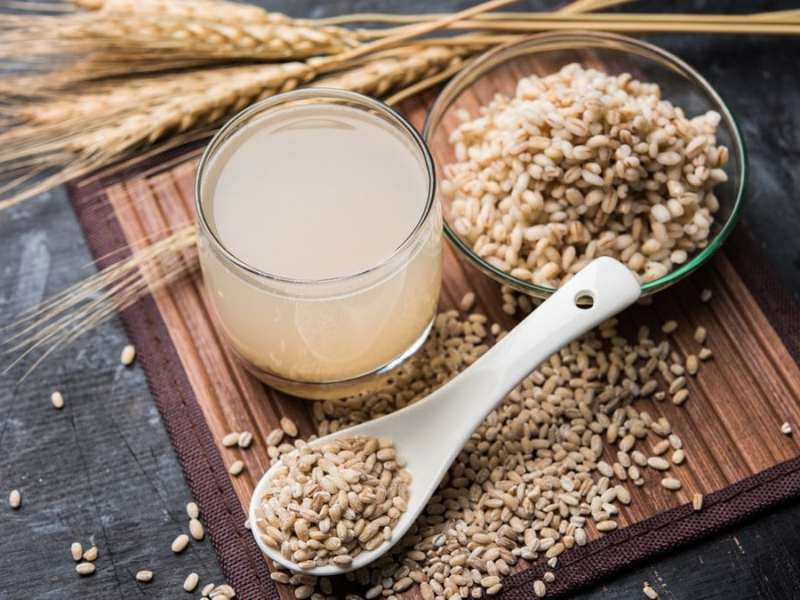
[{"x": 736, "y": 453}]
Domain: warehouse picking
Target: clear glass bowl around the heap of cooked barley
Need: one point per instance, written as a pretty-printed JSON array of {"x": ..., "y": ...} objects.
[{"x": 498, "y": 71}]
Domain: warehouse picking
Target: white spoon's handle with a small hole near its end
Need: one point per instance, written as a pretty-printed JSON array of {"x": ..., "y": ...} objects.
[{"x": 469, "y": 398}]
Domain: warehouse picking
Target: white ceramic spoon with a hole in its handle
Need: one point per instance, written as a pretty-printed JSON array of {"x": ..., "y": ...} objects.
[{"x": 430, "y": 434}]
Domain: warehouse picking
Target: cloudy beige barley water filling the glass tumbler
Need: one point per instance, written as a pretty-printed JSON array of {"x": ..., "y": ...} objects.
[{"x": 321, "y": 194}]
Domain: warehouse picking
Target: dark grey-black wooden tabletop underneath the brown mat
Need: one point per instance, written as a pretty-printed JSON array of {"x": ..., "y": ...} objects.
[{"x": 102, "y": 471}]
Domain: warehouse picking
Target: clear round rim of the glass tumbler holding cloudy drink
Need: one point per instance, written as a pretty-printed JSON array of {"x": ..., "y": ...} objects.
[{"x": 319, "y": 93}]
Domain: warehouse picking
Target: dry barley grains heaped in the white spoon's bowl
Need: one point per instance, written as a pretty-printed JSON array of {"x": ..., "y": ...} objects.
[{"x": 328, "y": 504}]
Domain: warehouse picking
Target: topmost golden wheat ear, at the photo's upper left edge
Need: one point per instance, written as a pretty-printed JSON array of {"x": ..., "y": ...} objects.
[{"x": 119, "y": 43}]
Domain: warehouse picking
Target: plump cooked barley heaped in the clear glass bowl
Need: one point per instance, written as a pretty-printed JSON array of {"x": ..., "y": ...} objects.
[{"x": 581, "y": 164}]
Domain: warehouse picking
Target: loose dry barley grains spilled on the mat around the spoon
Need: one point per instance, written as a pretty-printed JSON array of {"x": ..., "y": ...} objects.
[{"x": 536, "y": 478}]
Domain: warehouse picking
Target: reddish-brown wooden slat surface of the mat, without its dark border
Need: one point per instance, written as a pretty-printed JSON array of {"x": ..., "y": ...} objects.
[{"x": 730, "y": 425}]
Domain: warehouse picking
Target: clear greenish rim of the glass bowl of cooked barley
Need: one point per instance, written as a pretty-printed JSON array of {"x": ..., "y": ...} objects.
[{"x": 496, "y": 56}]
